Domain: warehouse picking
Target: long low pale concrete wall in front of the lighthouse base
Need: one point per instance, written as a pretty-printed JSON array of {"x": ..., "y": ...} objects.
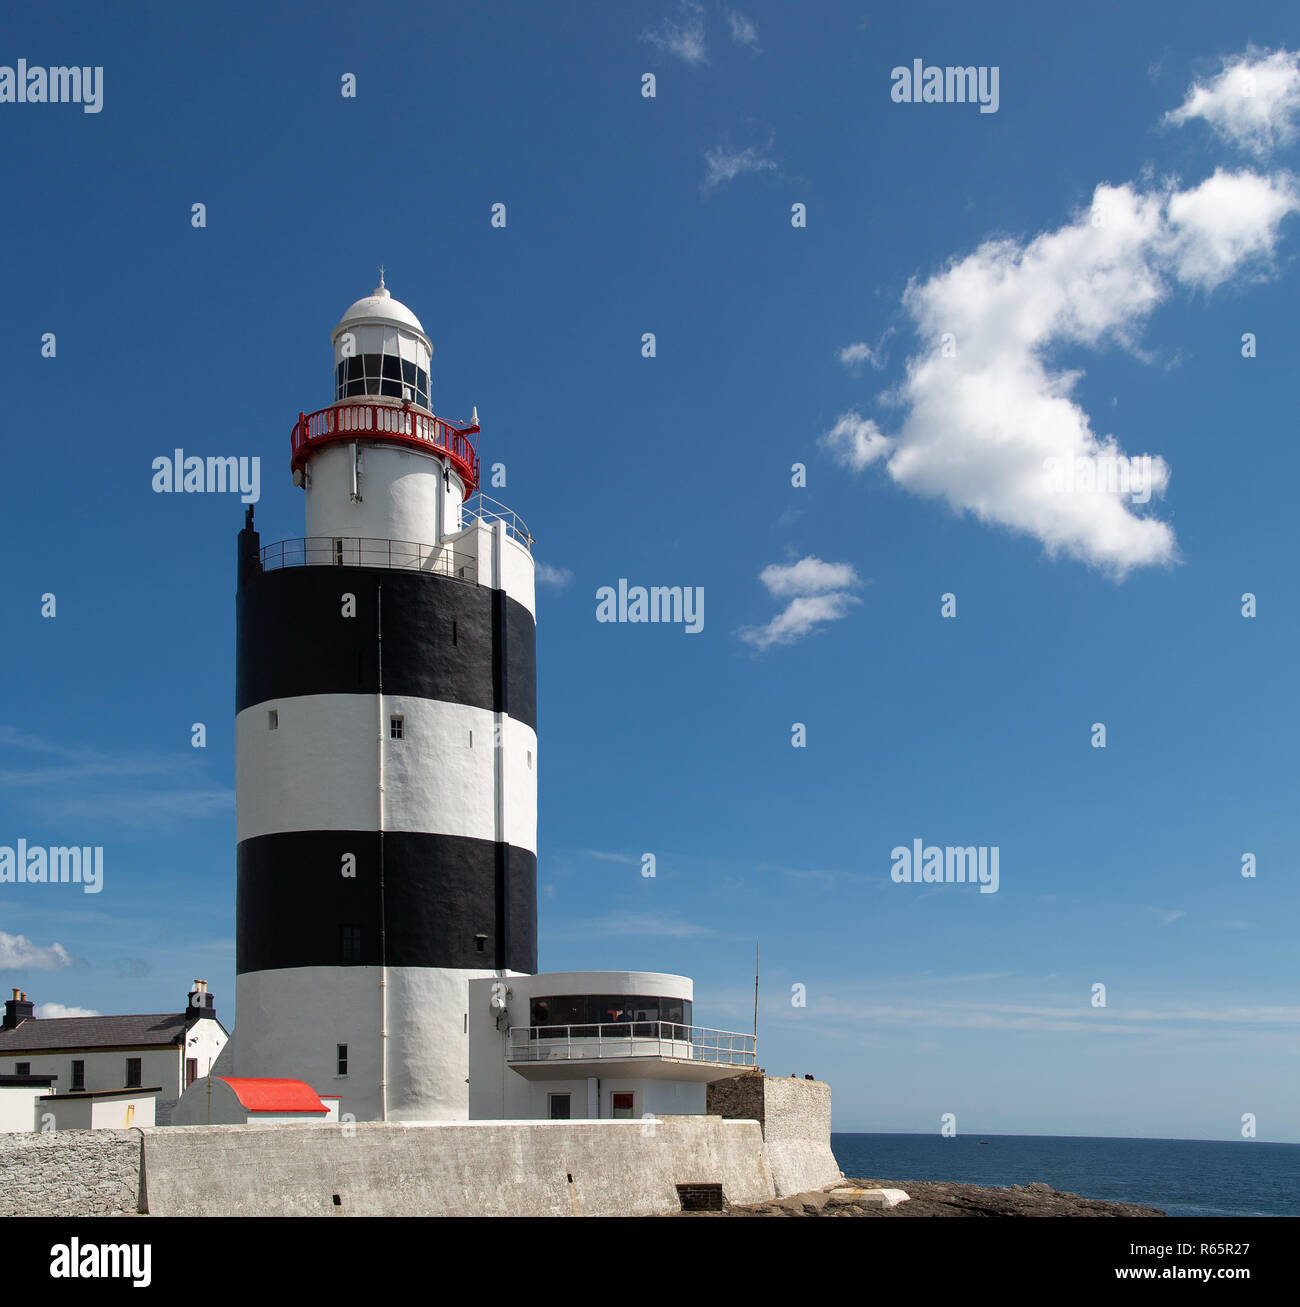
[{"x": 450, "y": 1169}]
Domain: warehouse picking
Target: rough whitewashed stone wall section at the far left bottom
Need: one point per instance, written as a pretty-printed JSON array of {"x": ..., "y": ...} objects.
[{"x": 70, "y": 1174}]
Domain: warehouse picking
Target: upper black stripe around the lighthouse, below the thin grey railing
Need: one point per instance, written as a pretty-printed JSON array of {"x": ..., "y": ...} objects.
[{"x": 444, "y": 640}]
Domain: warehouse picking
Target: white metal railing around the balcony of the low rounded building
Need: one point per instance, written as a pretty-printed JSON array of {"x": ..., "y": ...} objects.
[{"x": 632, "y": 1040}]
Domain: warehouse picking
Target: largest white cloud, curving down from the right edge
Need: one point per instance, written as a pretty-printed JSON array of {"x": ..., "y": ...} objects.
[{"x": 987, "y": 412}]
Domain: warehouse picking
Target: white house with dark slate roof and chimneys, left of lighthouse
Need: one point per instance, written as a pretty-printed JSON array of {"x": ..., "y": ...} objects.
[{"x": 146, "y": 1061}]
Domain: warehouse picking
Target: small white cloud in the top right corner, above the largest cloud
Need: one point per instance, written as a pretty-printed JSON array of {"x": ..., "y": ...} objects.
[{"x": 1254, "y": 103}]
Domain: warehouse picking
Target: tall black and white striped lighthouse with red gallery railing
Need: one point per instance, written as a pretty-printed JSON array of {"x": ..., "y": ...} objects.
[{"x": 386, "y": 746}]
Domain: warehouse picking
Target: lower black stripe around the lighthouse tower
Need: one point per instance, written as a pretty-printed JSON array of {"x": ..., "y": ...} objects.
[{"x": 441, "y": 892}]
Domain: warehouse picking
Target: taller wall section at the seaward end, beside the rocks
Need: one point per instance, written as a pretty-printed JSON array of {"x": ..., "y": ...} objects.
[{"x": 795, "y": 1117}]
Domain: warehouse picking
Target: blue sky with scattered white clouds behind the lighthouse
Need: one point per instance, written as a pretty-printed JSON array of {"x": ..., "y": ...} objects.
[{"x": 1079, "y": 314}]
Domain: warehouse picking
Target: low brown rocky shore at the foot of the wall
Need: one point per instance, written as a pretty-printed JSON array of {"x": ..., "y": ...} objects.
[{"x": 939, "y": 1199}]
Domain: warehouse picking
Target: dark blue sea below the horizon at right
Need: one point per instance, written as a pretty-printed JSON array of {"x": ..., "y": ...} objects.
[{"x": 1184, "y": 1178}]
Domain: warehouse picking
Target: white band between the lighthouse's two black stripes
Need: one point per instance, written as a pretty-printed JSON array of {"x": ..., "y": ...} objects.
[{"x": 318, "y": 769}]
